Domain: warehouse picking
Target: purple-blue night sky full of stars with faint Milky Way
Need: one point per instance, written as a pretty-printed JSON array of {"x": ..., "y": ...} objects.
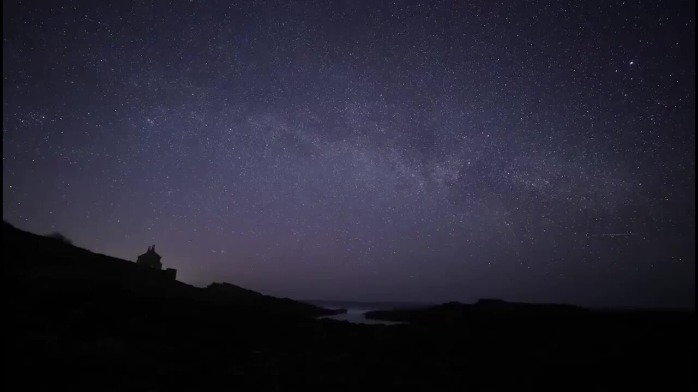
[{"x": 364, "y": 150}]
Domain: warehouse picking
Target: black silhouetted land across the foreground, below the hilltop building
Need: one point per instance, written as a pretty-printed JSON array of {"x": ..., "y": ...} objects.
[{"x": 82, "y": 321}]
